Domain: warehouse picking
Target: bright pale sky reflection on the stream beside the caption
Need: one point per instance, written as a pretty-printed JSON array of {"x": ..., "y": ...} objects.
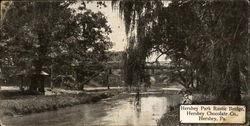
[{"x": 138, "y": 111}]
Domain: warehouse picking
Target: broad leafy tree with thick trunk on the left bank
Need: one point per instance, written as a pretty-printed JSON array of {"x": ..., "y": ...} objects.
[{"x": 42, "y": 31}]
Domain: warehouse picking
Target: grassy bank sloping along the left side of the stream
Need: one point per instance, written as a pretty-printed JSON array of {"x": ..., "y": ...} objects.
[{"x": 41, "y": 103}]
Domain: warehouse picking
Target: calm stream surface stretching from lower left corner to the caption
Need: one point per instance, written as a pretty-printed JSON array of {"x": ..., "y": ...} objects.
[{"x": 129, "y": 111}]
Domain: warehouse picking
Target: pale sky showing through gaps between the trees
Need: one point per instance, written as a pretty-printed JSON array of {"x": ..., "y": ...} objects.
[{"x": 118, "y": 35}]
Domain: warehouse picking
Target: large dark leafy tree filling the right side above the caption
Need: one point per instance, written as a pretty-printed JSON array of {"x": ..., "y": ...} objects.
[{"x": 207, "y": 40}]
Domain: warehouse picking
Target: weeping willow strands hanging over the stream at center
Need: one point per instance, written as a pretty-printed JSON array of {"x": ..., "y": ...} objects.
[{"x": 139, "y": 17}]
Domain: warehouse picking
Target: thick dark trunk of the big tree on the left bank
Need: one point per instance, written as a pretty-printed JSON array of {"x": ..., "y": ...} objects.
[{"x": 43, "y": 32}]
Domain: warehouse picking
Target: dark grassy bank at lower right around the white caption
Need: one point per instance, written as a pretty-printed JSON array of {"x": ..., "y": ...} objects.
[{"x": 172, "y": 117}]
